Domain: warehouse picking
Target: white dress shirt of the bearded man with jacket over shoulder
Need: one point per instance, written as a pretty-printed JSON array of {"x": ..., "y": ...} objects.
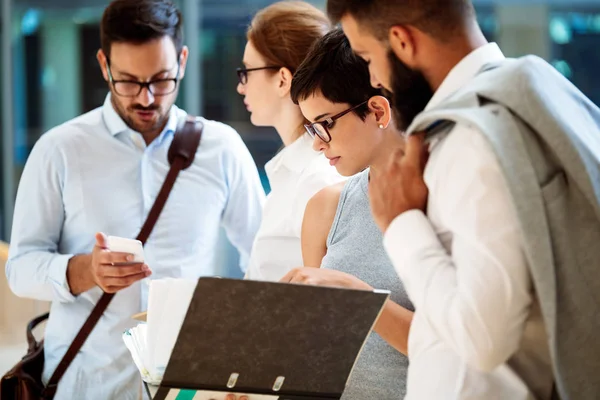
[{"x": 463, "y": 266}]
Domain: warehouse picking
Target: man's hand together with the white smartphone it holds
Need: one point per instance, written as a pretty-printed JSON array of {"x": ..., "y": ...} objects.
[{"x": 117, "y": 263}]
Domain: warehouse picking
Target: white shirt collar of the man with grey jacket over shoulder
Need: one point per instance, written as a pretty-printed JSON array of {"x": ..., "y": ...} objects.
[{"x": 464, "y": 71}]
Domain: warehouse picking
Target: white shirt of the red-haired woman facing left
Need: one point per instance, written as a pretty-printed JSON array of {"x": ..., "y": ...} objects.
[{"x": 295, "y": 174}]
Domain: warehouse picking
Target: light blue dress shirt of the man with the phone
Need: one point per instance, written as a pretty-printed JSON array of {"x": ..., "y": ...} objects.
[{"x": 94, "y": 174}]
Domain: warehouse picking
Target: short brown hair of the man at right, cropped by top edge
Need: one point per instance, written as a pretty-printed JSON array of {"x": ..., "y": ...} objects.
[{"x": 438, "y": 18}]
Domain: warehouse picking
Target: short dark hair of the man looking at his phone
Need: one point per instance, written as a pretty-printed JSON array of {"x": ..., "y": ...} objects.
[{"x": 140, "y": 21}]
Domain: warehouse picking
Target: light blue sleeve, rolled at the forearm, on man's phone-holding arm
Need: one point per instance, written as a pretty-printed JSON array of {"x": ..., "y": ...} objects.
[{"x": 35, "y": 269}]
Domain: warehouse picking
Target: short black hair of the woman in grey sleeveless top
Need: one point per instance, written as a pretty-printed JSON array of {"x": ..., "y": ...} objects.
[{"x": 332, "y": 69}]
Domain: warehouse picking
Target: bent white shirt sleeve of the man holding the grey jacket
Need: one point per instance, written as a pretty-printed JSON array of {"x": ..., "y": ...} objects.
[{"x": 476, "y": 291}]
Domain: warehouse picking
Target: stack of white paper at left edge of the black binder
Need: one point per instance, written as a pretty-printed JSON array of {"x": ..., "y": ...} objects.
[{"x": 152, "y": 342}]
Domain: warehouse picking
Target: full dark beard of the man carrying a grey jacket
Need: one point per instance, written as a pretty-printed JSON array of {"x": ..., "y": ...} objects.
[{"x": 409, "y": 92}]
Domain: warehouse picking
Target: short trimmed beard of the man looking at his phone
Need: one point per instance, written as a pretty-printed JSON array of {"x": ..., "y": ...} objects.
[{"x": 127, "y": 114}]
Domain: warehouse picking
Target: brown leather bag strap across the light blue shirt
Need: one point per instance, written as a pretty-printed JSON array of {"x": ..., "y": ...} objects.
[{"x": 181, "y": 156}]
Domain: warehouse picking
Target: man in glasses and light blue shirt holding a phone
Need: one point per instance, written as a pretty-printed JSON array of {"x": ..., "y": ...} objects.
[{"x": 101, "y": 172}]
